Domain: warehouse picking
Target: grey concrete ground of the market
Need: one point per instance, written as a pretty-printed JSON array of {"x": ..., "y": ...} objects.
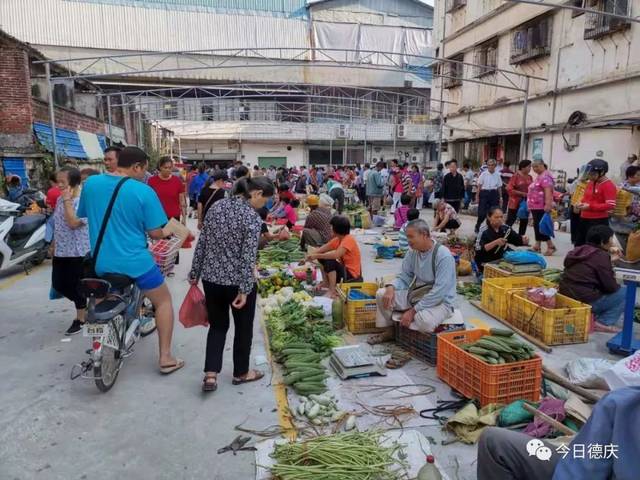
[{"x": 154, "y": 427}]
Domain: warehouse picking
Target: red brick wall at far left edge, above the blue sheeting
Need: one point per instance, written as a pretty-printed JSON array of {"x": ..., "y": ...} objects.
[{"x": 15, "y": 88}]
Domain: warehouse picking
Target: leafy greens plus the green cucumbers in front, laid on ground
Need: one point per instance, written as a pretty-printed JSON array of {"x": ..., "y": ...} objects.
[{"x": 300, "y": 337}]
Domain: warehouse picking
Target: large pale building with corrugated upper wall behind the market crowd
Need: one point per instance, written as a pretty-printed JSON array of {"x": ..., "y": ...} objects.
[{"x": 386, "y": 42}]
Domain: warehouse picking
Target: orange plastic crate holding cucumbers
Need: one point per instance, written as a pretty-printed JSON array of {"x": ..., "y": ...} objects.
[{"x": 479, "y": 380}]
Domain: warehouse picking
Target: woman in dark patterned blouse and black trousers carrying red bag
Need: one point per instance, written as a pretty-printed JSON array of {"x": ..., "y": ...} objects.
[{"x": 224, "y": 259}]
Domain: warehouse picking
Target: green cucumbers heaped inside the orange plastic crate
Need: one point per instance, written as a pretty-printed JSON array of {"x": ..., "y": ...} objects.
[{"x": 500, "y": 347}]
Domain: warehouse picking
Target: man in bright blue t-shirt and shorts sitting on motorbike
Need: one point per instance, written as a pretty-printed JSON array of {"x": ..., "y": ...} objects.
[{"x": 136, "y": 213}]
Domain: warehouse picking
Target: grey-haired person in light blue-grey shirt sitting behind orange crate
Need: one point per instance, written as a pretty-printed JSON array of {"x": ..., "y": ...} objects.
[{"x": 423, "y": 295}]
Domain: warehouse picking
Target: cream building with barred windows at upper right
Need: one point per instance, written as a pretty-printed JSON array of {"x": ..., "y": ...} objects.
[{"x": 586, "y": 106}]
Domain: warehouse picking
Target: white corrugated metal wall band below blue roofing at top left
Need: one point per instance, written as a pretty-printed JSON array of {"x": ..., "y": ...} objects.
[{"x": 101, "y": 26}]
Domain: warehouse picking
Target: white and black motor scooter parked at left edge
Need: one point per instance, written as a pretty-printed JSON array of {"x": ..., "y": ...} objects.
[{"x": 22, "y": 237}]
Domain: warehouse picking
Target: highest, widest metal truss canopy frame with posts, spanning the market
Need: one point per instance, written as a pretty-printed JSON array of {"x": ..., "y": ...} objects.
[{"x": 156, "y": 63}]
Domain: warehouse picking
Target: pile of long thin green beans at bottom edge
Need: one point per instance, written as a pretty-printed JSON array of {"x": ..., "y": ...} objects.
[{"x": 343, "y": 456}]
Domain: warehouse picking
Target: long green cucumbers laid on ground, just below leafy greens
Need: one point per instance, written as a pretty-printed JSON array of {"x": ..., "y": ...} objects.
[{"x": 305, "y": 374}]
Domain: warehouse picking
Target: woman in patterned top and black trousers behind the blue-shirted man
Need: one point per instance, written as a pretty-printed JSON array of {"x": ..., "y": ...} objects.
[{"x": 71, "y": 244}]
